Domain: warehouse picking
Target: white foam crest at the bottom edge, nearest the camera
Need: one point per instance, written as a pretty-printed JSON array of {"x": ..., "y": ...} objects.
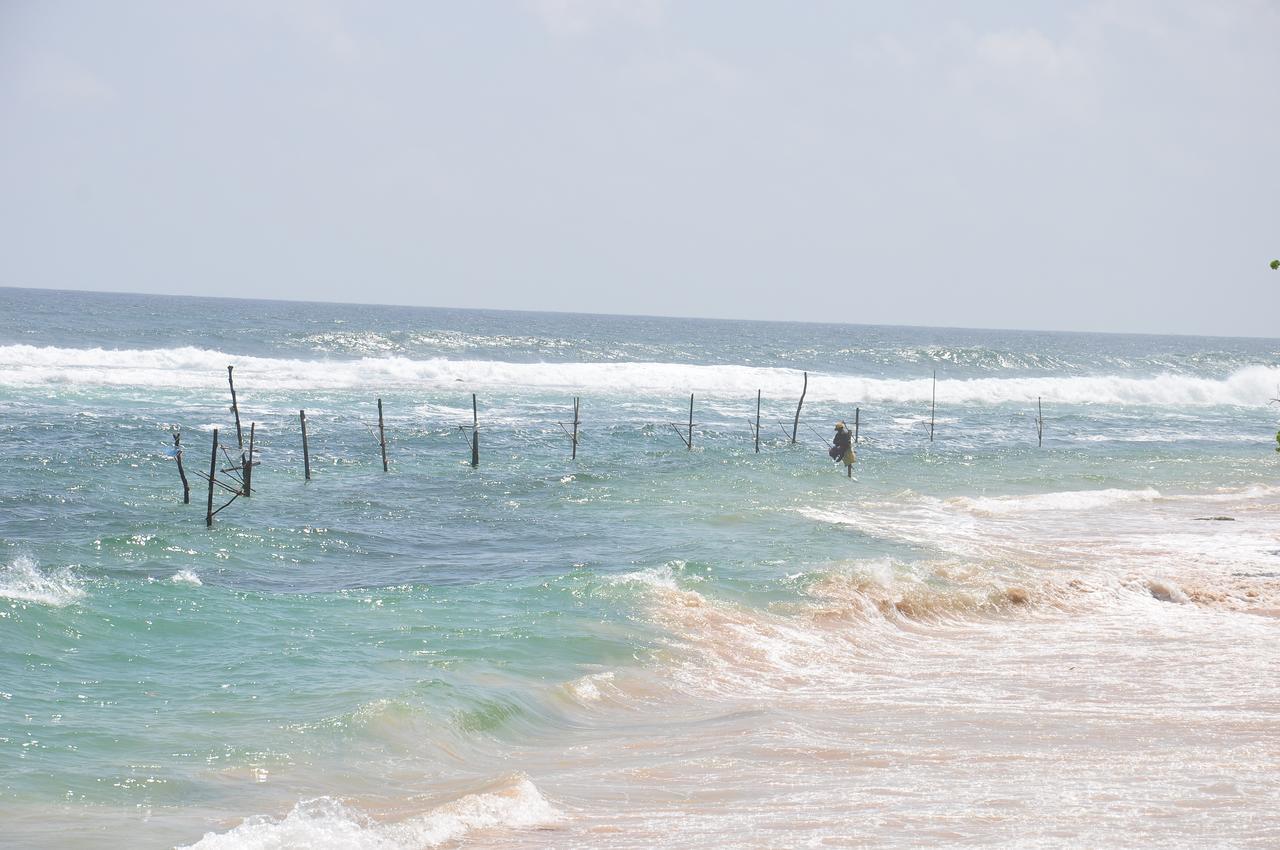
[{"x": 326, "y": 822}]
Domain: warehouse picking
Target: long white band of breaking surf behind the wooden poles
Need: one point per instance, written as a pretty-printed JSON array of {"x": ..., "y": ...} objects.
[{"x": 203, "y": 369}]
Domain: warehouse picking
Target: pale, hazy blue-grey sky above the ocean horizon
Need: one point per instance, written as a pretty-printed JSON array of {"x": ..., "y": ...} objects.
[{"x": 1095, "y": 166}]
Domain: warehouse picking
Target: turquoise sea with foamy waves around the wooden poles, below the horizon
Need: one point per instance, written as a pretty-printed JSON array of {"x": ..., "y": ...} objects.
[{"x": 976, "y": 641}]
